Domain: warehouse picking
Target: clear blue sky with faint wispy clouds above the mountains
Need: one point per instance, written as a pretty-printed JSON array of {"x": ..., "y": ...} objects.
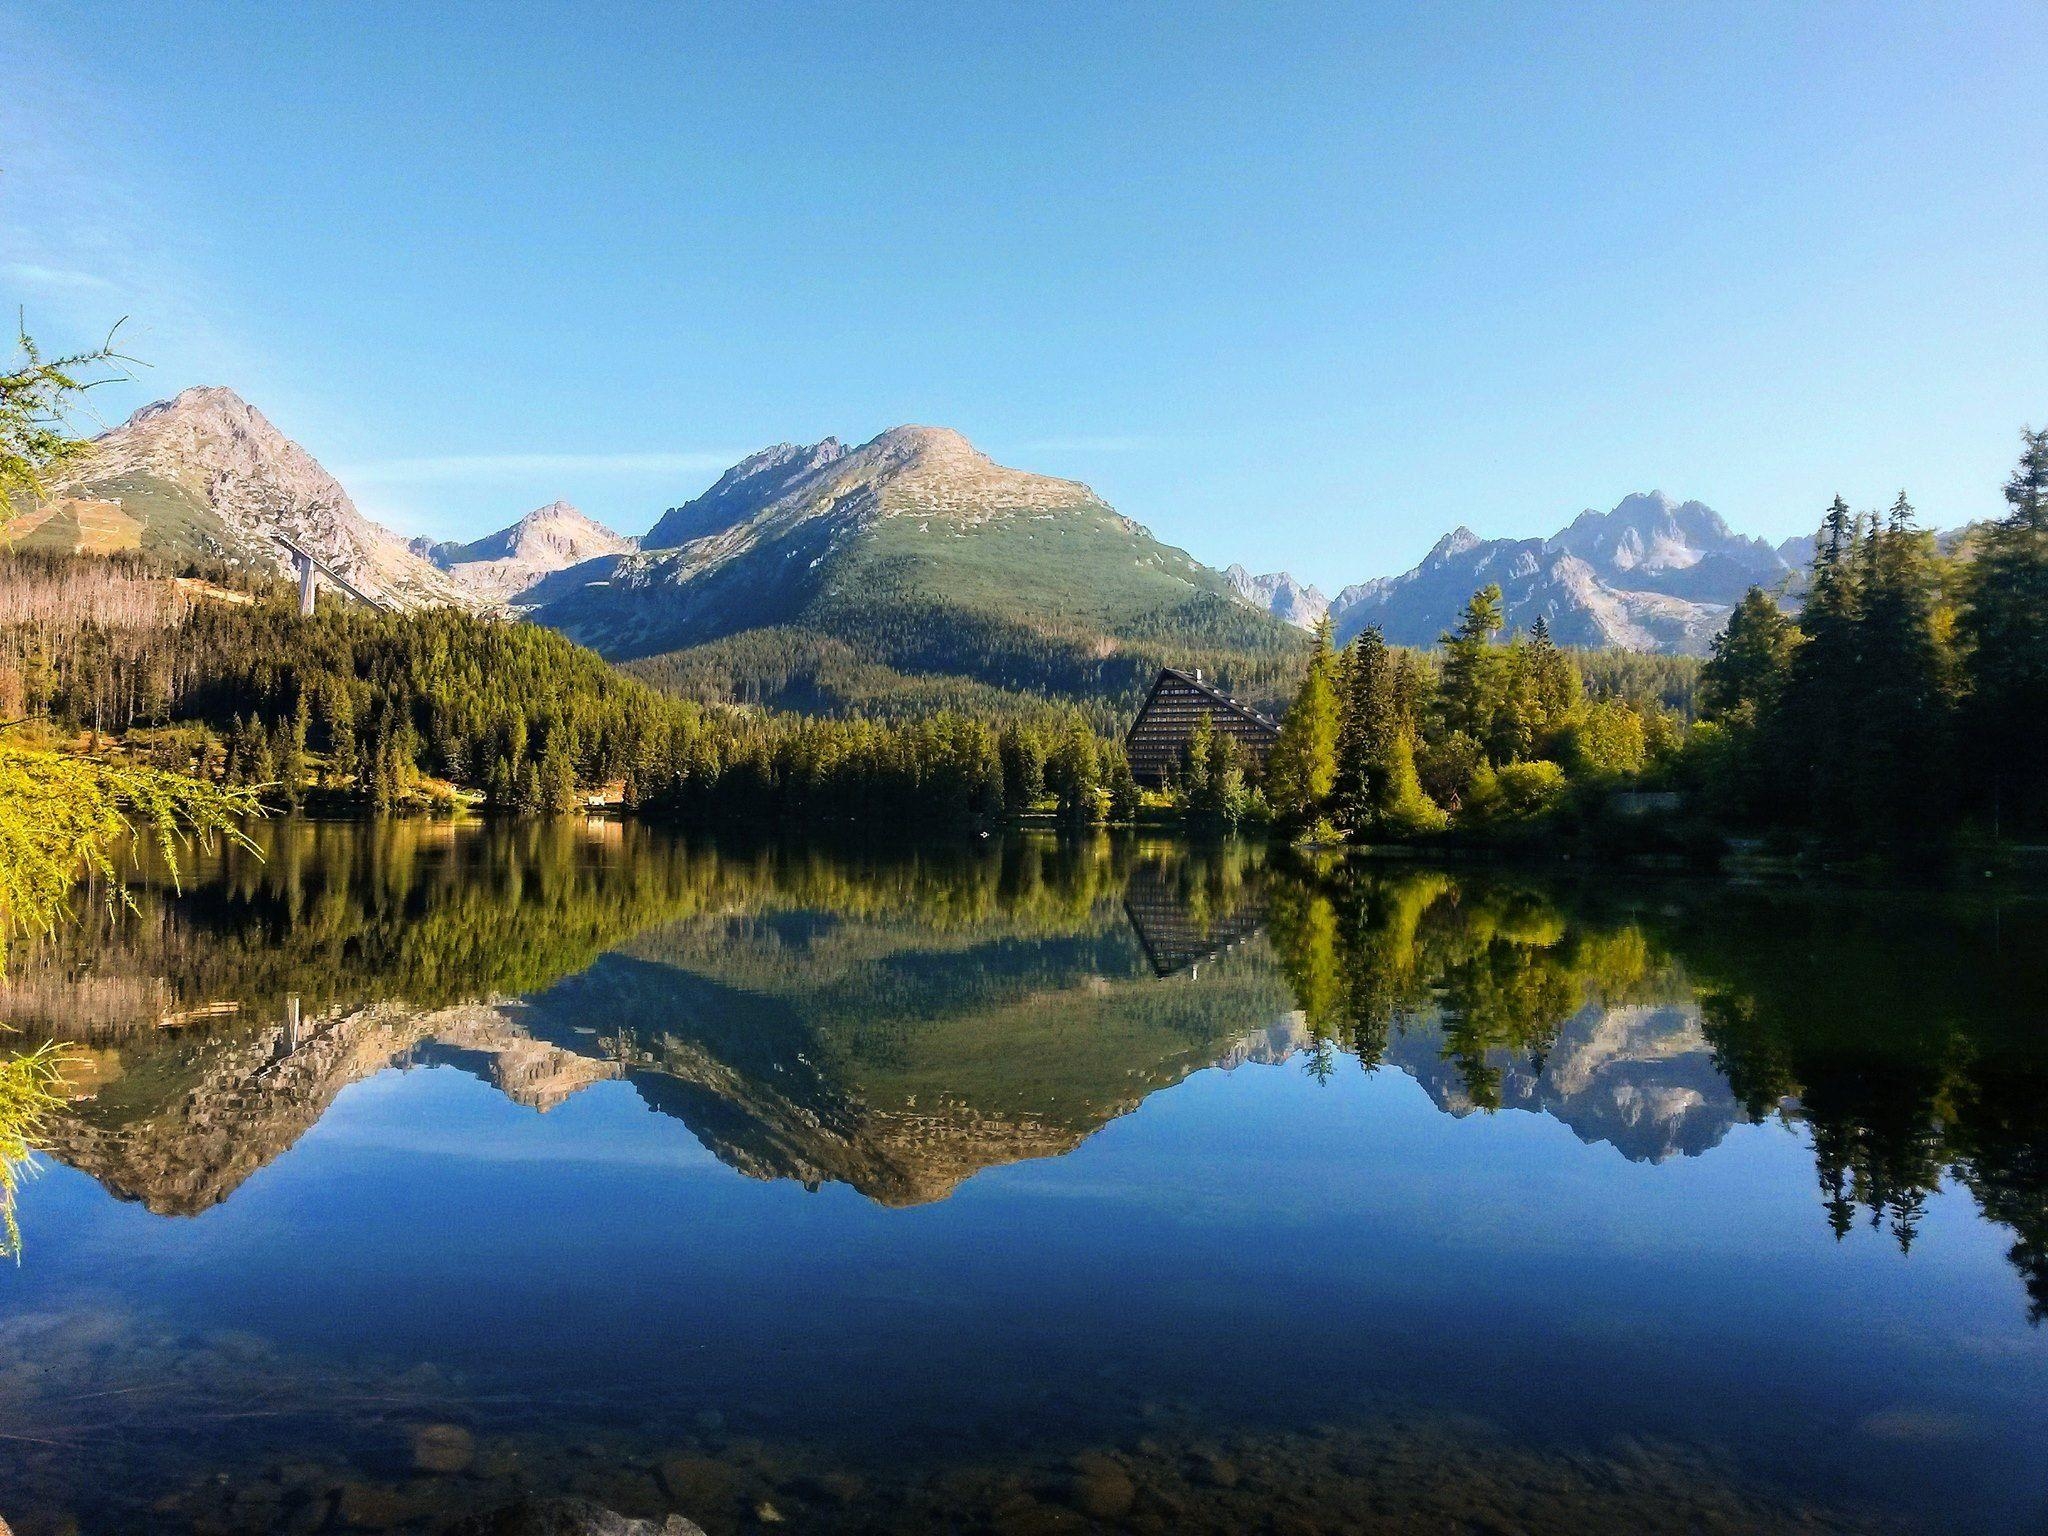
[{"x": 1293, "y": 286}]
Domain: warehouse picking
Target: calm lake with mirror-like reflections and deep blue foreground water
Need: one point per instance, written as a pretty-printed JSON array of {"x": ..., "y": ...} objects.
[{"x": 1027, "y": 1189}]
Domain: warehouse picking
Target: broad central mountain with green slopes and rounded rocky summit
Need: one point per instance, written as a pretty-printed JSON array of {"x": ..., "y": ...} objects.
[{"x": 910, "y": 572}]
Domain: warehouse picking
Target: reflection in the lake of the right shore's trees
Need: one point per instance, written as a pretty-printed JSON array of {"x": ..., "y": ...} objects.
[{"x": 1902, "y": 1031}]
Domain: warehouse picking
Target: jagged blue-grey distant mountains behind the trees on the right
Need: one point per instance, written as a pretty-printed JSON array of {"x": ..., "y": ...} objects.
[{"x": 1650, "y": 577}]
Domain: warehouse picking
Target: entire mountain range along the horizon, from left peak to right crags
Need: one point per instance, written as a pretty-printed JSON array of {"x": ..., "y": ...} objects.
[{"x": 896, "y": 574}]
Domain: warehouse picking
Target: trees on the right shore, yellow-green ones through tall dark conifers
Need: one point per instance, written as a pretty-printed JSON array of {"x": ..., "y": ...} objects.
[{"x": 1904, "y": 708}]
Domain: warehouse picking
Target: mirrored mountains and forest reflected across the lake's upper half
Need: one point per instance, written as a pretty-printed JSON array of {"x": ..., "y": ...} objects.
[{"x": 902, "y": 1023}]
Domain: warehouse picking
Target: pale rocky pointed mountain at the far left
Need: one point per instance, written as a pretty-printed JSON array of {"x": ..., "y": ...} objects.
[{"x": 208, "y": 476}]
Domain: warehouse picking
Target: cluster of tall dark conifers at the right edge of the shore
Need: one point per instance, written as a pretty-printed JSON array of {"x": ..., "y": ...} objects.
[{"x": 1885, "y": 716}]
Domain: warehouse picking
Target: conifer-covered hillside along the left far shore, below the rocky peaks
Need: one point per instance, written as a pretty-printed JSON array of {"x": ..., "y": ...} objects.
[{"x": 398, "y": 710}]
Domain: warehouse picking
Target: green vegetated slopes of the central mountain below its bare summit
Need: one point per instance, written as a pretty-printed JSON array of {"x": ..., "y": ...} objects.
[{"x": 1000, "y": 617}]
